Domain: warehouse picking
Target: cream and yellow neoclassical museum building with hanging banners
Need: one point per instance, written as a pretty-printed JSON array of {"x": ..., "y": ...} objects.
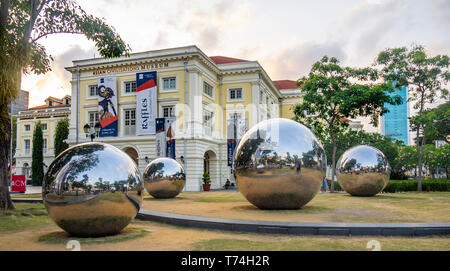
[{"x": 208, "y": 102}]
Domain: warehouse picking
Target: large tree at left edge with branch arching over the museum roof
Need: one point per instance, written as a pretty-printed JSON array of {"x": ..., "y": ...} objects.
[{"x": 22, "y": 24}]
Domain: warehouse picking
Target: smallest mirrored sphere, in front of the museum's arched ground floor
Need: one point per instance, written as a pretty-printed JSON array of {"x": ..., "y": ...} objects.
[{"x": 164, "y": 178}]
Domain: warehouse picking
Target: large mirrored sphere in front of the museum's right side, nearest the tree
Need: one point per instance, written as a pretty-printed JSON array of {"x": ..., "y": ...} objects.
[{"x": 279, "y": 164}]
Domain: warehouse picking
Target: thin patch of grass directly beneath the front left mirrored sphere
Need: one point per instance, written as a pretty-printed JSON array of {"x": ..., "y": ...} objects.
[{"x": 61, "y": 237}]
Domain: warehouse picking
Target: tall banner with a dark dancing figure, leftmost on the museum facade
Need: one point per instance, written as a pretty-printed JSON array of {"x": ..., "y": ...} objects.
[{"x": 107, "y": 106}]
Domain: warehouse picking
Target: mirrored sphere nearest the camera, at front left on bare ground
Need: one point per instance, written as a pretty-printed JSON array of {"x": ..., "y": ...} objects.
[{"x": 92, "y": 189}]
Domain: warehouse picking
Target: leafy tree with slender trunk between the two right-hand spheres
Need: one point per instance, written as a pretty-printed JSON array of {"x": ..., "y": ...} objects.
[{"x": 333, "y": 93}]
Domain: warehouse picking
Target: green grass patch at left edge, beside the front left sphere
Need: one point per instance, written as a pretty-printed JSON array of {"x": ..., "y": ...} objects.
[{"x": 25, "y": 215}]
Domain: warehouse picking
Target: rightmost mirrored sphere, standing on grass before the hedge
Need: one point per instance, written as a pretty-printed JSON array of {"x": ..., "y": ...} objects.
[{"x": 363, "y": 171}]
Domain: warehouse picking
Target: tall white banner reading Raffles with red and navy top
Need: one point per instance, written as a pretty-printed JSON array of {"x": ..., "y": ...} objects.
[{"x": 146, "y": 83}]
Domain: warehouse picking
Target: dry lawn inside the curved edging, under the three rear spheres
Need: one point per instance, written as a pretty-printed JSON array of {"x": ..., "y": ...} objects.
[{"x": 336, "y": 207}]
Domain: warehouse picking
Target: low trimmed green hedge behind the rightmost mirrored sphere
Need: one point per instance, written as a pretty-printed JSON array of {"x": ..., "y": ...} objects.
[{"x": 409, "y": 185}]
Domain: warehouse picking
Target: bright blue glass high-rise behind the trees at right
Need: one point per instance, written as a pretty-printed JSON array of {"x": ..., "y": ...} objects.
[{"x": 395, "y": 123}]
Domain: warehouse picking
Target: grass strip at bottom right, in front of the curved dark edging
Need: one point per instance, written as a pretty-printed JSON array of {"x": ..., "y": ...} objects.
[{"x": 436, "y": 243}]
